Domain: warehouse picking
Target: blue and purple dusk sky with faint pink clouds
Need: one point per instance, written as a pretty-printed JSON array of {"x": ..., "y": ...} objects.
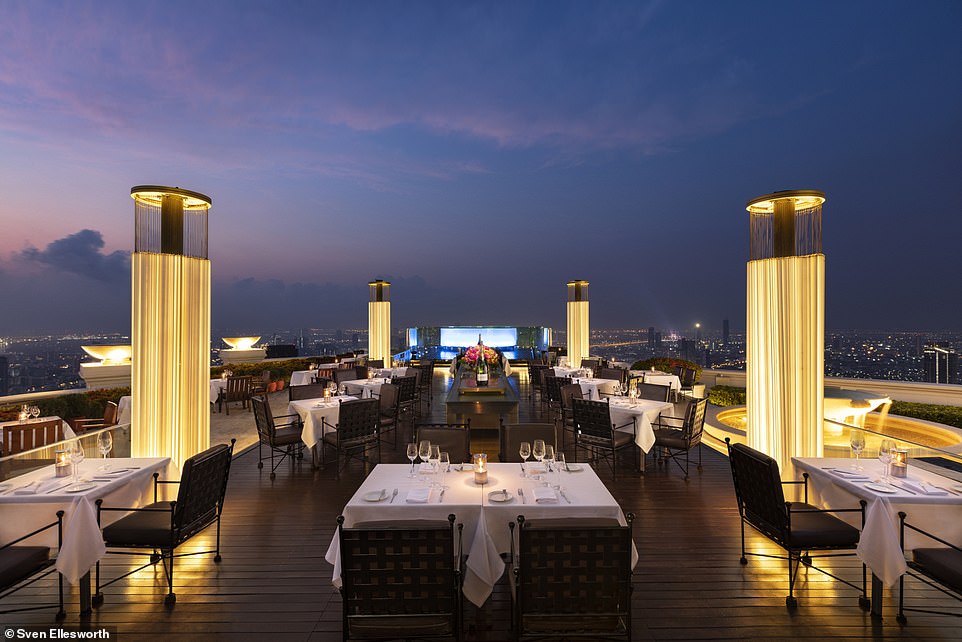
[{"x": 479, "y": 155}]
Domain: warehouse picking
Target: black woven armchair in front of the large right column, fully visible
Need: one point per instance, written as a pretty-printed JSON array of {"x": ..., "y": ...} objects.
[{"x": 798, "y": 527}]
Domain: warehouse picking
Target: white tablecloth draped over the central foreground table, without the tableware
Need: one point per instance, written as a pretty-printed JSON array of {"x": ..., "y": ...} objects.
[{"x": 486, "y": 533}]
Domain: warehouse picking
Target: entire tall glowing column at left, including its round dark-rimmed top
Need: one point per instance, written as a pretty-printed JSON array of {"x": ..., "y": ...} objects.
[{"x": 170, "y": 324}]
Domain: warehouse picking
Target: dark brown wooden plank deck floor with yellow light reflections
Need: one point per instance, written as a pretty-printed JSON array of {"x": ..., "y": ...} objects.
[{"x": 273, "y": 582}]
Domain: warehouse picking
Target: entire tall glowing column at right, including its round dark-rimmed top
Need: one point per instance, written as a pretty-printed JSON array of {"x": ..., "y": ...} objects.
[{"x": 785, "y": 337}]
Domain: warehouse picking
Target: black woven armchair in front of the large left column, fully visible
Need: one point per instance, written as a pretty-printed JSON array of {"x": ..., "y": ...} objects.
[{"x": 163, "y": 526}]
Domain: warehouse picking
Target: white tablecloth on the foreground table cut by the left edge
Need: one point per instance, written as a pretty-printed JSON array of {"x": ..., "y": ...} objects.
[{"x": 83, "y": 545}]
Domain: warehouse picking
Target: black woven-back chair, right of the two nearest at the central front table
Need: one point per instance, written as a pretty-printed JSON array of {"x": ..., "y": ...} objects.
[{"x": 572, "y": 579}]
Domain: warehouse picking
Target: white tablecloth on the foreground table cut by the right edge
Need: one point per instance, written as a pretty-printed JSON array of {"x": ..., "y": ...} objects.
[{"x": 879, "y": 543}]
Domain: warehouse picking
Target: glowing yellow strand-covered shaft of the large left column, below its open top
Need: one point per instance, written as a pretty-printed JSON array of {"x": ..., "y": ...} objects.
[{"x": 170, "y": 337}]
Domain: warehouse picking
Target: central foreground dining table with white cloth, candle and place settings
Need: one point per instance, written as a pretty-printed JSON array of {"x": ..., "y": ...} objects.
[{"x": 391, "y": 493}]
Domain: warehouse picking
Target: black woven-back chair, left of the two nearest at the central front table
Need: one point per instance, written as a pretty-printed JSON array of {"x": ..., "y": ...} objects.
[{"x": 401, "y": 580}]
